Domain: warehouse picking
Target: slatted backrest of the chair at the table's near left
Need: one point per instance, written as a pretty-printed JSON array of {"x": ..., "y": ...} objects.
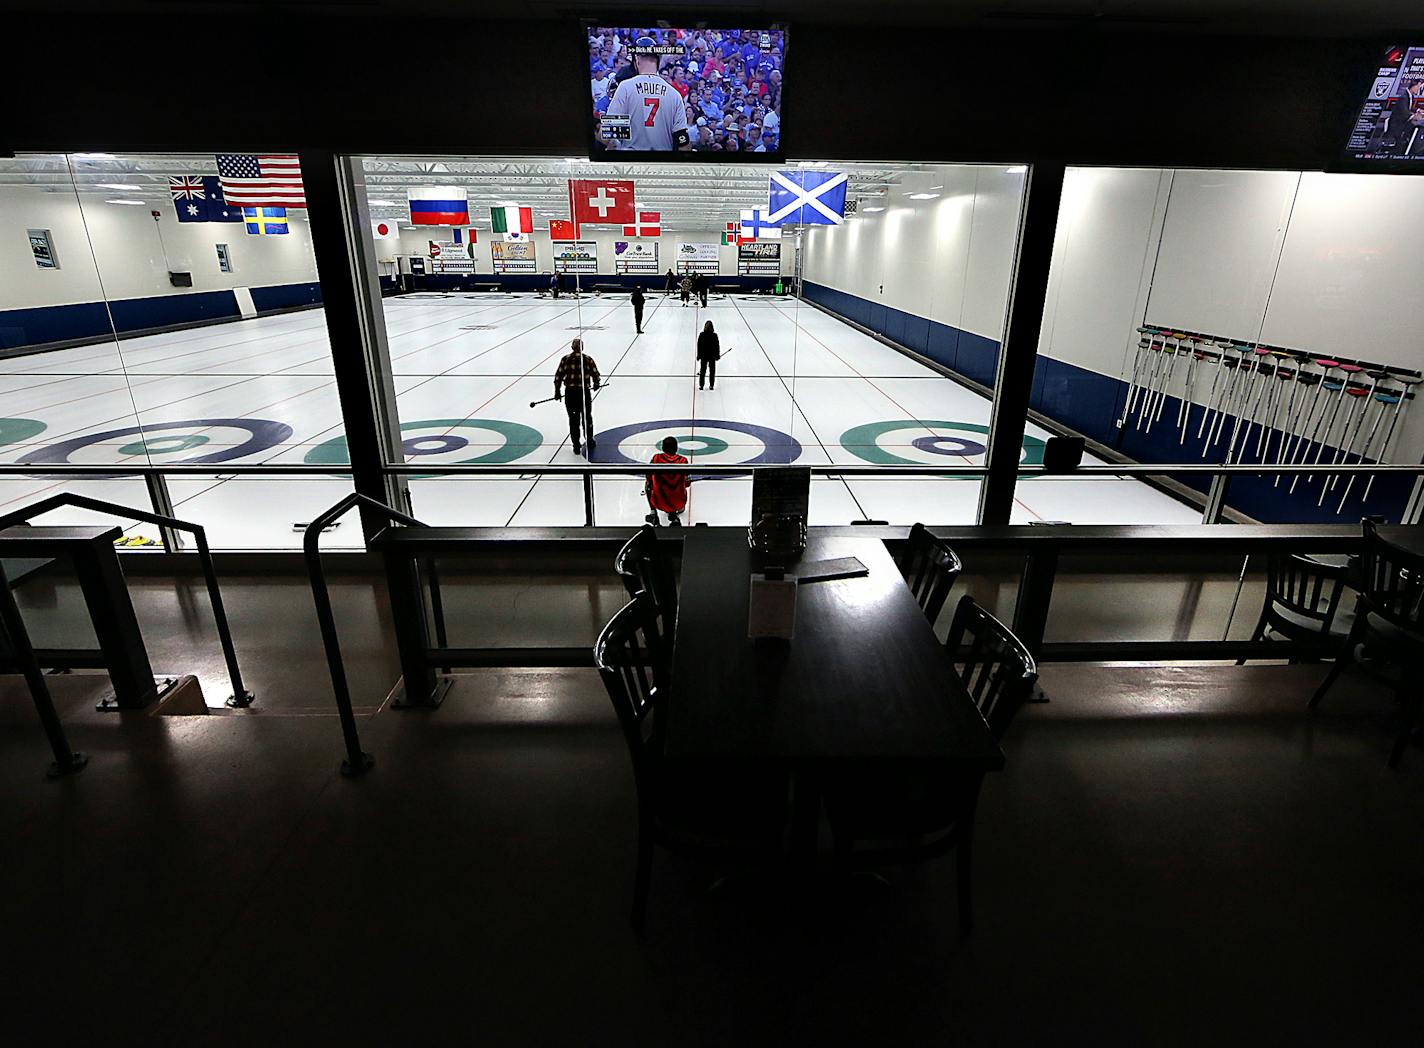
[{"x": 633, "y": 663}]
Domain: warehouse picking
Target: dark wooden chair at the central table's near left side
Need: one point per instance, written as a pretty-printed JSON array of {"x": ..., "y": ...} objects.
[{"x": 728, "y": 818}]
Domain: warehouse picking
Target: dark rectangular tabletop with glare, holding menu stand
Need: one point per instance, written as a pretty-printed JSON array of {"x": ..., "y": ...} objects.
[{"x": 865, "y": 677}]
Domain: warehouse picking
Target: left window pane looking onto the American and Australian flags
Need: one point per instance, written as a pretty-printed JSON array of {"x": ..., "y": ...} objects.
[{"x": 149, "y": 321}]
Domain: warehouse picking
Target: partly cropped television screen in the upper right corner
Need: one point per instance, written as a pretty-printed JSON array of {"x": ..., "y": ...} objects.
[{"x": 1389, "y": 126}]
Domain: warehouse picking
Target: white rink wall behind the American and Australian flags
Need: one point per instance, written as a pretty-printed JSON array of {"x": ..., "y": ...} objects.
[{"x": 115, "y": 250}]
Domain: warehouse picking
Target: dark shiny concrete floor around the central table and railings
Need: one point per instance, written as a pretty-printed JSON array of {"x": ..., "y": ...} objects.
[{"x": 1174, "y": 855}]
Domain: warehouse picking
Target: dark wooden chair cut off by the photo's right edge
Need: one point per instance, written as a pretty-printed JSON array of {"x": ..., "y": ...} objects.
[{"x": 1389, "y": 622}]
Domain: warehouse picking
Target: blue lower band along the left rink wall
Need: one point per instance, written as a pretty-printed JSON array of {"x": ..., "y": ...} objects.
[{"x": 89, "y": 321}]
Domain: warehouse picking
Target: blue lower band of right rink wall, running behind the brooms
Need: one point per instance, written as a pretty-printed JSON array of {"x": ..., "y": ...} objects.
[{"x": 1090, "y": 404}]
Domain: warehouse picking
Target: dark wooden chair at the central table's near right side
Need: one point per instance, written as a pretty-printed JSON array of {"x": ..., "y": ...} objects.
[{"x": 909, "y": 814}]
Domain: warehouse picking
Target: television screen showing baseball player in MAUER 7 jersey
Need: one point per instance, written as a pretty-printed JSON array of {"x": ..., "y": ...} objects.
[{"x": 666, "y": 92}]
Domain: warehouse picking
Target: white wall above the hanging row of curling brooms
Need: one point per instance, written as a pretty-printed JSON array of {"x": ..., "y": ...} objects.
[{"x": 1332, "y": 266}]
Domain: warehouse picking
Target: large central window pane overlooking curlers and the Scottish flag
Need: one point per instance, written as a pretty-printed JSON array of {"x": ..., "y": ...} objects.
[{"x": 851, "y": 344}]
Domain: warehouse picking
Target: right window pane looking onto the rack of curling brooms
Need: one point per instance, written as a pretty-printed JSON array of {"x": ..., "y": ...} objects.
[{"x": 1244, "y": 317}]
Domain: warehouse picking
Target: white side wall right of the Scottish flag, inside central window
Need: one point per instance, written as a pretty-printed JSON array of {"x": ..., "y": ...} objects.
[{"x": 948, "y": 258}]
